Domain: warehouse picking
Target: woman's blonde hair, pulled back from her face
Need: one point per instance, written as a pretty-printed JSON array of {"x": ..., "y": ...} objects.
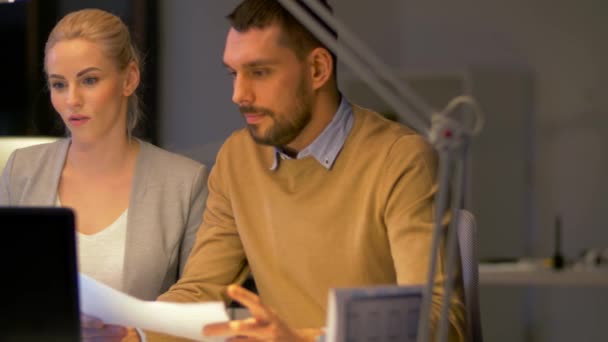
[{"x": 110, "y": 32}]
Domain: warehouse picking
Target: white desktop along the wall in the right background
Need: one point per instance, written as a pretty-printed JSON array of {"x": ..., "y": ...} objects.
[{"x": 516, "y": 275}]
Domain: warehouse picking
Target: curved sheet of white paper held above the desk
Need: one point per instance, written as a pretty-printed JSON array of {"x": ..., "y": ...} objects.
[{"x": 178, "y": 319}]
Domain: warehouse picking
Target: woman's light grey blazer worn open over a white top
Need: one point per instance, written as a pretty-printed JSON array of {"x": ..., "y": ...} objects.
[{"x": 165, "y": 208}]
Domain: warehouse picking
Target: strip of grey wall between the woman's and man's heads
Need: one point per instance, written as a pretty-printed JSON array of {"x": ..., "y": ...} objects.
[{"x": 197, "y": 113}]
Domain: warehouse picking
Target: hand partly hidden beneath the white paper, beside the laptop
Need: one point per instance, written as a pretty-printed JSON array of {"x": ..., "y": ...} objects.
[{"x": 94, "y": 330}]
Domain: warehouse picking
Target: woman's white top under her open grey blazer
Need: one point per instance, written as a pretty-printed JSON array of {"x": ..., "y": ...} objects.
[{"x": 101, "y": 255}]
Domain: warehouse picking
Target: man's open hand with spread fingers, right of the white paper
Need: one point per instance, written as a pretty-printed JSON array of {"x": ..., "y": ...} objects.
[{"x": 265, "y": 325}]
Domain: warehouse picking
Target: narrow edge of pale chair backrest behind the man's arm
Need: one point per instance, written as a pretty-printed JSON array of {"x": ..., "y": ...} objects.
[{"x": 467, "y": 241}]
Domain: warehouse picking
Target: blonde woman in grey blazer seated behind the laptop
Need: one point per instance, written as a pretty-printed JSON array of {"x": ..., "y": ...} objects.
[{"x": 137, "y": 206}]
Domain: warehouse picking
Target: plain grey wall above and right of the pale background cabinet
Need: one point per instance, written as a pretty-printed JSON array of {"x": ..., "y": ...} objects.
[{"x": 563, "y": 44}]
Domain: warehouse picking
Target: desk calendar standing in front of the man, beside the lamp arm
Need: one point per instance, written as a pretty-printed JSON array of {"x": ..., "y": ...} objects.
[{"x": 381, "y": 313}]
